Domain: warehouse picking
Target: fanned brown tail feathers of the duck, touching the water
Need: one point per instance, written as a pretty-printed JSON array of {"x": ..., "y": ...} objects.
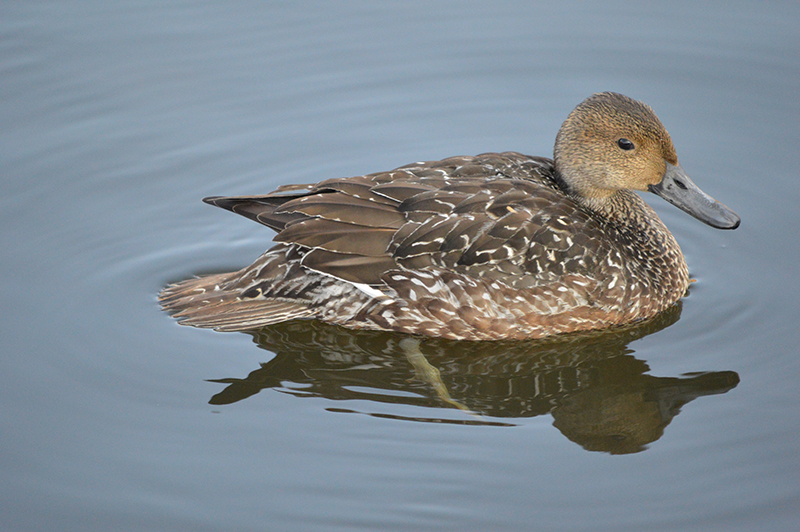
[{"x": 203, "y": 302}]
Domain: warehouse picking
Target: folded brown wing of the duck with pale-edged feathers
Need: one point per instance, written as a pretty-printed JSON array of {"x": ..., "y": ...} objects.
[{"x": 494, "y": 215}]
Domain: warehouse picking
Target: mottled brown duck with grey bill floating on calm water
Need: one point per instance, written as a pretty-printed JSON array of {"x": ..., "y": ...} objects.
[{"x": 496, "y": 246}]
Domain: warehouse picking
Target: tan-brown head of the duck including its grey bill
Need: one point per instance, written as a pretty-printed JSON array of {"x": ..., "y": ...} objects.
[{"x": 610, "y": 142}]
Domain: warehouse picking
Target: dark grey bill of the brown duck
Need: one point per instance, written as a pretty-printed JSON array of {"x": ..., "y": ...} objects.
[{"x": 678, "y": 189}]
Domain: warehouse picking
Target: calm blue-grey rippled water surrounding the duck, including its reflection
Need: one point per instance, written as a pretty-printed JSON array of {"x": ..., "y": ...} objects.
[{"x": 117, "y": 117}]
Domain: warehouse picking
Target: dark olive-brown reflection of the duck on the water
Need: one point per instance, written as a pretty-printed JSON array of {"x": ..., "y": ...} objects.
[{"x": 595, "y": 390}]
